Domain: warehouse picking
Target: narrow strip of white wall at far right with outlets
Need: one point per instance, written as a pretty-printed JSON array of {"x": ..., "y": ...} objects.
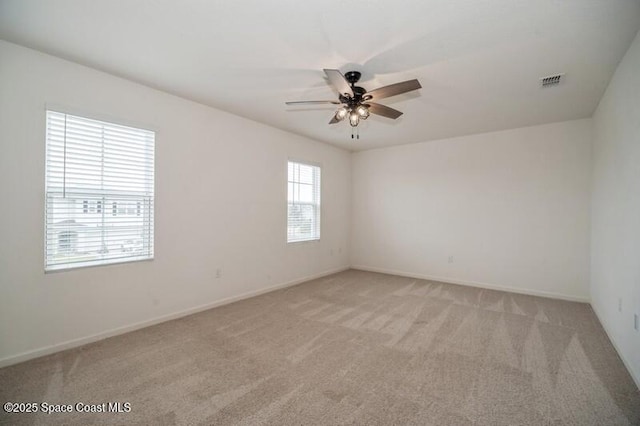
[{"x": 615, "y": 224}]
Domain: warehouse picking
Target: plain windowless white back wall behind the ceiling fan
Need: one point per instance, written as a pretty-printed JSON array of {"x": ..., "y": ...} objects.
[{"x": 511, "y": 207}]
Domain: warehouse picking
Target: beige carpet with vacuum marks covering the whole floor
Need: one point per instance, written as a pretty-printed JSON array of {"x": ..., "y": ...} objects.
[{"x": 352, "y": 348}]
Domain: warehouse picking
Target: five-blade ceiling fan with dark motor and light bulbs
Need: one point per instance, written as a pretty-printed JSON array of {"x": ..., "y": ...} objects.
[{"x": 356, "y": 103}]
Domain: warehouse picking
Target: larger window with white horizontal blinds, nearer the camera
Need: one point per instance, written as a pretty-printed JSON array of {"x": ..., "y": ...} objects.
[{"x": 99, "y": 192}]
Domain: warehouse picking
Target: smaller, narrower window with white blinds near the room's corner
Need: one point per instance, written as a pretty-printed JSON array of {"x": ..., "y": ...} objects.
[{"x": 303, "y": 218}]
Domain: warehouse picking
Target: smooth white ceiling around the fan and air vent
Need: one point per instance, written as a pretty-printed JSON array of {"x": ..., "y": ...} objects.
[{"x": 478, "y": 61}]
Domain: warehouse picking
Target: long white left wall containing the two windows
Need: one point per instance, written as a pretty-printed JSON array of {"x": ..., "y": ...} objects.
[{"x": 220, "y": 202}]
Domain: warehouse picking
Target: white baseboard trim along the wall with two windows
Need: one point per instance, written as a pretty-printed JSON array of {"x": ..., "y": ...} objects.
[{"x": 69, "y": 344}]
